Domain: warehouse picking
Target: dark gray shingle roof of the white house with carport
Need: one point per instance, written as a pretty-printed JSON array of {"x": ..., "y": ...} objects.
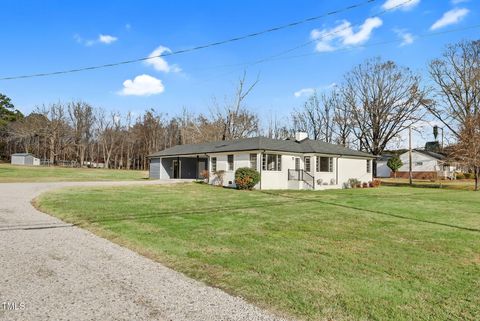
[{"x": 261, "y": 143}]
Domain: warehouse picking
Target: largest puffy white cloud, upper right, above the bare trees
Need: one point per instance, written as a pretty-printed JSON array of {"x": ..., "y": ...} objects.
[{"x": 344, "y": 35}]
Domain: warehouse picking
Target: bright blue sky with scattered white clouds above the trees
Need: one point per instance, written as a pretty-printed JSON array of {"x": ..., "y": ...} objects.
[{"x": 43, "y": 36}]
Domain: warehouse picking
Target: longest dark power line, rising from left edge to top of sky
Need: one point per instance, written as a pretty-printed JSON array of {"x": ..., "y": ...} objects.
[{"x": 213, "y": 44}]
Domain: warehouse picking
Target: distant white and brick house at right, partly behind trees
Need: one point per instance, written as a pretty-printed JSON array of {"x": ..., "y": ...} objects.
[{"x": 425, "y": 165}]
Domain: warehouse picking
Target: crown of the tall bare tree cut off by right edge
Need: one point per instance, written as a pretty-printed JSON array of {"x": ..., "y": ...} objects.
[{"x": 457, "y": 78}]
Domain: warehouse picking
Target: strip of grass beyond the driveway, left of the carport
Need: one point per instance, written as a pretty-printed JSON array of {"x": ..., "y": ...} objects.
[{"x": 15, "y": 173}]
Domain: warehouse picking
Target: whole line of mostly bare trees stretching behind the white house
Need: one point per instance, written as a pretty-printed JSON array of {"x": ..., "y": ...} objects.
[{"x": 374, "y": 103}]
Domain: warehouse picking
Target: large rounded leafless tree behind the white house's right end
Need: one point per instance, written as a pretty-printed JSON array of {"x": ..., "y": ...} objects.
[{"x": 383, "y": 100}]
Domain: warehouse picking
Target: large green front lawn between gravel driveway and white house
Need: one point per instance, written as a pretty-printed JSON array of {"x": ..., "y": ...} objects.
[{"x": 392, "y": 253}]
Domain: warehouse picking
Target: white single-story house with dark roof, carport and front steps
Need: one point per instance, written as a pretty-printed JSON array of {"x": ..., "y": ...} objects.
[{"x": 298, "y": 163}]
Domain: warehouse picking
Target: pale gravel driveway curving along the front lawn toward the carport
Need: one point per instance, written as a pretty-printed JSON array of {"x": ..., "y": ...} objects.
[{"x": 52, "y": 271}]
